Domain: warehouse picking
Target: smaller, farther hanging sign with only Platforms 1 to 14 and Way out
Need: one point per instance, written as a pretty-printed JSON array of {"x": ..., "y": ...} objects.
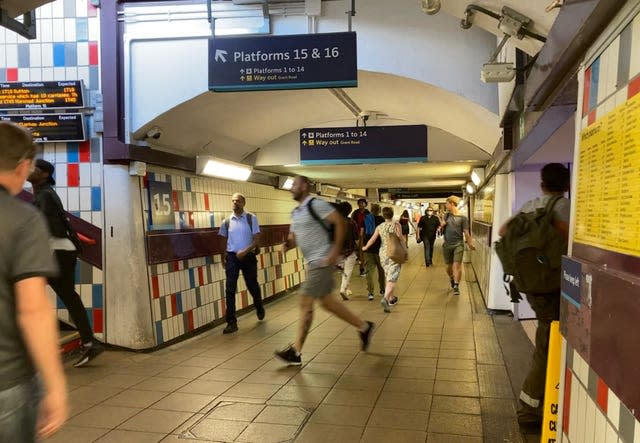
[{"x": 373, "y": 144}]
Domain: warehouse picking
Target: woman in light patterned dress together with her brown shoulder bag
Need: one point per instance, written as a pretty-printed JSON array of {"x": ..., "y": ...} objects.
[{"x": 393, "y": 253}]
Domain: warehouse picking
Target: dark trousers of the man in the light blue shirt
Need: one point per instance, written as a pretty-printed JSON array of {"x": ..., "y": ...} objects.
[{"x": 249, "y": 267}]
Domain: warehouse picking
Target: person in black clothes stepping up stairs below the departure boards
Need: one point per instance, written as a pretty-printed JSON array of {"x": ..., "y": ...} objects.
[{"x": 65, "y": 245}]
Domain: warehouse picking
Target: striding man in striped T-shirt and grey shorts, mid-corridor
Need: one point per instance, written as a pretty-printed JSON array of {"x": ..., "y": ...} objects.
[{"x": 321, "y": 253}]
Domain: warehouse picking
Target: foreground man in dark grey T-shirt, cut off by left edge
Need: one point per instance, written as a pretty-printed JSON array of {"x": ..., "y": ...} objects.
[{"x": 30, "y": 404}]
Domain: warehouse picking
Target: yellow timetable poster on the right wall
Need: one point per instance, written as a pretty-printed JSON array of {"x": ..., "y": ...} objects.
[{"x": 608, "y": 188}]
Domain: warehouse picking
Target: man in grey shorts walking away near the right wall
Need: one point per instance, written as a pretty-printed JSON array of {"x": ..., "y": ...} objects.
[{"x": 456, "y": 230}]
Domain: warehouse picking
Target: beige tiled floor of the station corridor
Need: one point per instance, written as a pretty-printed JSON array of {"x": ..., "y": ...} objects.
[{"x": 434, "y": 373}]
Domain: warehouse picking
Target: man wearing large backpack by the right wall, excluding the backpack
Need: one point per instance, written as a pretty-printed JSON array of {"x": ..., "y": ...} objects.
[{"x": 555, "y": 182}]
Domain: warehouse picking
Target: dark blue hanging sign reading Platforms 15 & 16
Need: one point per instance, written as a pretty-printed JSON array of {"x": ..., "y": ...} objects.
[{"x": 283, "y": 62}]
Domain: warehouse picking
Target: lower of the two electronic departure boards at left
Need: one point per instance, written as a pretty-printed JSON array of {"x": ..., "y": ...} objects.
[{"x": 50, "y": 127}]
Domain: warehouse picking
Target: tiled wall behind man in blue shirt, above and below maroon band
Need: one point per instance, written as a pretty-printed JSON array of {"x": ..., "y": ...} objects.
[{"x": 188, "y": 294}]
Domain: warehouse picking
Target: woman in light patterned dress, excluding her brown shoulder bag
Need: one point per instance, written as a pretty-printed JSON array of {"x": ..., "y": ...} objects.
[{"x": 391, "y": 268}]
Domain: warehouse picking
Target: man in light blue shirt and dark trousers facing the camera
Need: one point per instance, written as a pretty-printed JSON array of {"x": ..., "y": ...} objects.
[{"x": 242, "y": 233}]
